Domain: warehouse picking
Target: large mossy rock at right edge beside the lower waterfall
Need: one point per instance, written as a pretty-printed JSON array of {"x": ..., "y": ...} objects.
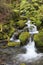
[{"x": 39, "y": 39}]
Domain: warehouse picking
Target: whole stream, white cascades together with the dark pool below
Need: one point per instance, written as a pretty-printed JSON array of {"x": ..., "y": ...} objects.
[{"x": 25, "y": 55}]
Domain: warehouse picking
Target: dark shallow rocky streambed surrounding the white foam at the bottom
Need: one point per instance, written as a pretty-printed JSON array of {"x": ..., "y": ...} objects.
[{"x": 8, "y": 57}]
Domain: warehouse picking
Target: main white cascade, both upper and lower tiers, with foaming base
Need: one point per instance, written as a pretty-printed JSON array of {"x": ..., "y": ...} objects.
[{"x": 30, "y": 47}]
